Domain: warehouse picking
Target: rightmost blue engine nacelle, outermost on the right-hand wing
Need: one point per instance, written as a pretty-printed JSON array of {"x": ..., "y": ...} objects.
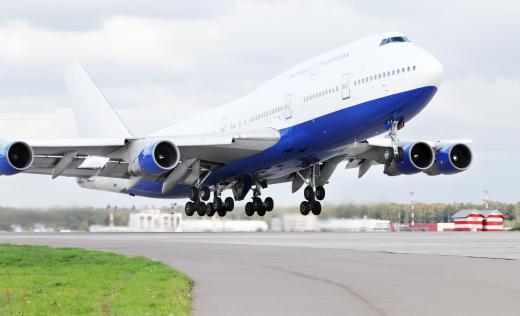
[{"x": 451, "y": 159}]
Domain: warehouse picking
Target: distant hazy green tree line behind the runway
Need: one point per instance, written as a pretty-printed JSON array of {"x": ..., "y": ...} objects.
[{"x": 75, "y": 218}]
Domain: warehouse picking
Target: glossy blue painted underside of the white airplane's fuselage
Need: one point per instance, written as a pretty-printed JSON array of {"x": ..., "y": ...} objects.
[{"x": 312, "y": 141}]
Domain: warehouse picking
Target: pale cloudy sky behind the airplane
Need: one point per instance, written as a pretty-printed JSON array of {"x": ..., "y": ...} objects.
[{"x": 163, "y": 63}]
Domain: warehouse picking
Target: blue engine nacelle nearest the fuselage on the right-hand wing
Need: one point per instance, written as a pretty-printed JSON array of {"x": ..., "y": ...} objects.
[{"x": 413, "y": 158}]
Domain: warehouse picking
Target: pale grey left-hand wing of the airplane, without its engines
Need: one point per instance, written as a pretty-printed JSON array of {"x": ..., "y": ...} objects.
[{"x": 108, "y": 157}]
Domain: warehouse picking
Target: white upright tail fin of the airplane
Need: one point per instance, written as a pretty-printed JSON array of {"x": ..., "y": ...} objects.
[{"x": 95, "y": 117}]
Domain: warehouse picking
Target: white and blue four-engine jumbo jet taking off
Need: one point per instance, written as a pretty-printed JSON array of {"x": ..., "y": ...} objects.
[{"x": 296, "y": 128}]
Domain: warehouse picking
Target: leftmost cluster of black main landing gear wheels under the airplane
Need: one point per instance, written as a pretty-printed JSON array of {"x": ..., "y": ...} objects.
[{"x": 198, "y": 196}]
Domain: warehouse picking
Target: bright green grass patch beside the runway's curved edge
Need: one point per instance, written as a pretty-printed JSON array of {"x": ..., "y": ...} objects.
[{"x": 36, "y": 280}]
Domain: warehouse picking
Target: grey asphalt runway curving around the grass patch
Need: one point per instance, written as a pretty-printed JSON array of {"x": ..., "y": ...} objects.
[{"x": 329, "y": 273}]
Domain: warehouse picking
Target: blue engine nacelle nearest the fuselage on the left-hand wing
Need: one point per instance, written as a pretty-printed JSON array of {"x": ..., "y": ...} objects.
[{"x": 156, "y": 158}]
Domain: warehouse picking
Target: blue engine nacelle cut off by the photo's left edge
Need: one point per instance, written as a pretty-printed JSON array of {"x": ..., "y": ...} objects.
[{"x": 15, "y": 157}]
